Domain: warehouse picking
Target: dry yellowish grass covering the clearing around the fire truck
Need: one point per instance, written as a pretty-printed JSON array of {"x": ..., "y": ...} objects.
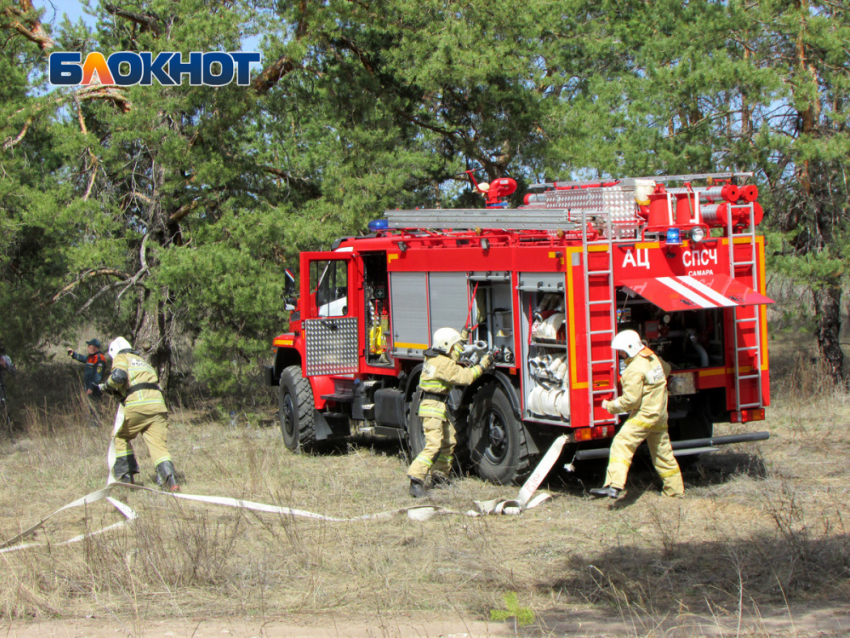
[{"x": 763, "y": 528}]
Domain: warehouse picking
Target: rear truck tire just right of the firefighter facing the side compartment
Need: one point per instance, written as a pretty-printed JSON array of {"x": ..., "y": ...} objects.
[{"x": 498, "y": 447}]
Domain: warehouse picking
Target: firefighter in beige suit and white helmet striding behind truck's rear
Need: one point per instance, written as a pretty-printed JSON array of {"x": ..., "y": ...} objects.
[{"x": 645, "y": 399}]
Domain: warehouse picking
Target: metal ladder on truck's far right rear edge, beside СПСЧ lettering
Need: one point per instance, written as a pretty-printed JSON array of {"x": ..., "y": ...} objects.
[{"x": 741, "y": 324}]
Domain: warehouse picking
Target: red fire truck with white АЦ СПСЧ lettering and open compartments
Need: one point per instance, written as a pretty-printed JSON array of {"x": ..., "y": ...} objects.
[{"x": 545, "y": 287}]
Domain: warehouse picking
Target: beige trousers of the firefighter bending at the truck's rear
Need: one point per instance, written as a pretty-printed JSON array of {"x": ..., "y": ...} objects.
[{"x": 623, "y": 449}]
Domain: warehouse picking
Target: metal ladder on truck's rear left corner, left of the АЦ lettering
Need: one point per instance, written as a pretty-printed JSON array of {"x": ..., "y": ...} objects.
[{"x": 605, "y": 377}]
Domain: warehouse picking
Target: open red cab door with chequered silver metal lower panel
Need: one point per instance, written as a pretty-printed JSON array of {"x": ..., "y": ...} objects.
[{"x": 329, "y": 321}]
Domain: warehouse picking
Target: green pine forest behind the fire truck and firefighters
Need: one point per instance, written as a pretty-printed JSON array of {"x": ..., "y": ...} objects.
[{"x": 167, "y": 214}]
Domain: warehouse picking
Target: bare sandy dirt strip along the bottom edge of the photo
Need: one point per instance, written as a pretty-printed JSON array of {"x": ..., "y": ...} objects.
[{"x": 799, "y": 623}]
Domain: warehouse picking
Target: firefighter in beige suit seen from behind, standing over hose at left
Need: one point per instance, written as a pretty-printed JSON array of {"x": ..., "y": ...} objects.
[{"x": 144, "y": 413}]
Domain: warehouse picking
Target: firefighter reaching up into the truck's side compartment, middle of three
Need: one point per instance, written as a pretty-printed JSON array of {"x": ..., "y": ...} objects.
[{"x": 440, "y": 374}]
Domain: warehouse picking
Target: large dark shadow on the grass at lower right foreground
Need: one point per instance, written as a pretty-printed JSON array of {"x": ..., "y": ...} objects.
[{"x": 764, "y": 569}]
